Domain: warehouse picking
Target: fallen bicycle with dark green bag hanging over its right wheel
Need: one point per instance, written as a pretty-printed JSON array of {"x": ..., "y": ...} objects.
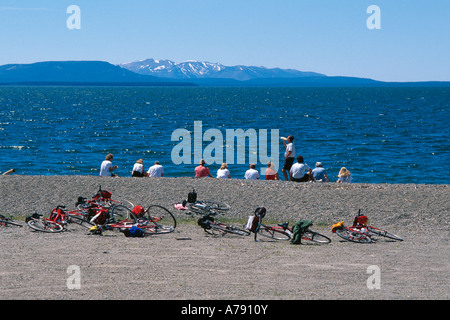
[{"x": 282, "y": 231}]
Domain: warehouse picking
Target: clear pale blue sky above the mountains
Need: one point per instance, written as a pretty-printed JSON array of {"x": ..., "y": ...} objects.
[{"x": 325, "y": 36}]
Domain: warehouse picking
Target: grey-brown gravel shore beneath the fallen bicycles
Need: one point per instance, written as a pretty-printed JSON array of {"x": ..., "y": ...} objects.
[{"x": 34, "y": 265}]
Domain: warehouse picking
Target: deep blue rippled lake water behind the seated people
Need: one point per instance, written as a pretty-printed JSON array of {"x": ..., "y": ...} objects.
[{"x": 382, "y": 135}]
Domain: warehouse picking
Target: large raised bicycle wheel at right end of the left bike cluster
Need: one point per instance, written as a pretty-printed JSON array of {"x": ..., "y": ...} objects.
[{"x": 157, "y": 220}]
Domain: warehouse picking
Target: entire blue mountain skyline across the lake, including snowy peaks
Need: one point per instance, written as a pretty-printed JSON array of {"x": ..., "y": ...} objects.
[{"x": 151, "y": 72}]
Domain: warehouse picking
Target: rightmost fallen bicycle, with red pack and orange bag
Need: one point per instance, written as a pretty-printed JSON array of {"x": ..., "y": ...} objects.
[{"x": 360, "y": 231}]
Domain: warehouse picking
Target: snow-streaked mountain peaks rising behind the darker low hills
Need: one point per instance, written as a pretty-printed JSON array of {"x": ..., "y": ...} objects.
[{"x": 203, "y": 70}]
